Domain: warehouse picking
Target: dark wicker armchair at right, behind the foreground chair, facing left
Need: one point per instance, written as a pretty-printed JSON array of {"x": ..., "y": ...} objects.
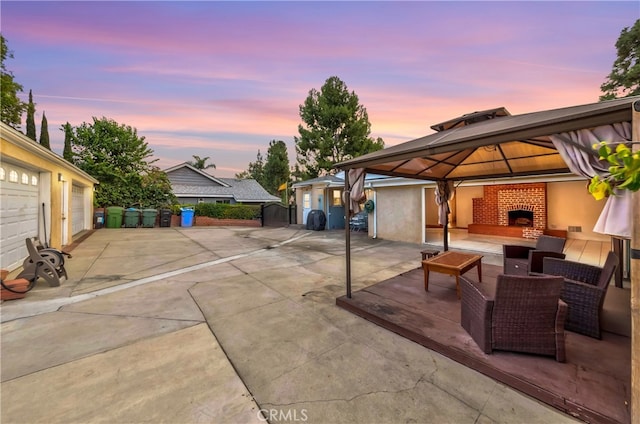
[{"x": 585, "y": 287}]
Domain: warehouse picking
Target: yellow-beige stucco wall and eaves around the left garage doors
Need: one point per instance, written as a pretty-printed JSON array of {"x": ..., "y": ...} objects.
[{"x": 17, "y": 148}]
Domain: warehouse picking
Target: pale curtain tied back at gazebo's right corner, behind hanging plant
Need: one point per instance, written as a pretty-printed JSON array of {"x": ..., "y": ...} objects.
[{"x": 576, "y": 149}]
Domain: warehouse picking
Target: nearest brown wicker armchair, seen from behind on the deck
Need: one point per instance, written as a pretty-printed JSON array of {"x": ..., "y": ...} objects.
[{"x": 525, "y": 315}]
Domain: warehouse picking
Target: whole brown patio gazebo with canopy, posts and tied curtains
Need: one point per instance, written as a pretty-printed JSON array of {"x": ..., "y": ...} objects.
[{"x": 493, "y": 144}]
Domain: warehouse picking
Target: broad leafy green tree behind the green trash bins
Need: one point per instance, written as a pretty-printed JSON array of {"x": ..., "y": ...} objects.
[{"x": 119, "y": 159}]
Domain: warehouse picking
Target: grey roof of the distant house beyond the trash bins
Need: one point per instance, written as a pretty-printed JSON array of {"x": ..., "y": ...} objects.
[{"x": 242, "y": 190}]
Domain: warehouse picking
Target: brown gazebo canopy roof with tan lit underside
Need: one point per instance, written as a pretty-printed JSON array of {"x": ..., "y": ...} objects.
[{"x": 503, "y": 146}]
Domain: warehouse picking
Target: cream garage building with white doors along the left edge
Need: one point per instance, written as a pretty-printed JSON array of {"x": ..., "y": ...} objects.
[{"x": 41, "y": 195}]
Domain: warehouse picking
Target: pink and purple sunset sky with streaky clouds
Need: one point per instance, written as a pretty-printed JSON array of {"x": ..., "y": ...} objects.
[{"x": 223, "y": 79}]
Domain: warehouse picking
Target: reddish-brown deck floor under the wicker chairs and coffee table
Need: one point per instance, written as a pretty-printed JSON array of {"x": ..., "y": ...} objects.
[{"x": 593, "y": 385}]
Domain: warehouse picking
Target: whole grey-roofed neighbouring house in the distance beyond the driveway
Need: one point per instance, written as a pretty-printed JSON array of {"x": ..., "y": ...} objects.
[{"x": 191, "y": 186}]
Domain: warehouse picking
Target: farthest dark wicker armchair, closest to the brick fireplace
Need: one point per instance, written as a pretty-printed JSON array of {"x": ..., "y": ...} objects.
[{"x": 521, "y": 260}]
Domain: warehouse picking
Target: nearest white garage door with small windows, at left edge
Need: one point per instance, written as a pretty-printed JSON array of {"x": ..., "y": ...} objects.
[{"x": 18, "y": 213}]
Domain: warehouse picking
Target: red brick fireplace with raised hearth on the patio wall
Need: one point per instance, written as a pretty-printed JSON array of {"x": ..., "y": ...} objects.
[{"x": 512, "y": 210}]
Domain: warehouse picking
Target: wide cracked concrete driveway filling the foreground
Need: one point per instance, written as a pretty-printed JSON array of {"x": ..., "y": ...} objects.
[{"x": 230, "y": 325}]
